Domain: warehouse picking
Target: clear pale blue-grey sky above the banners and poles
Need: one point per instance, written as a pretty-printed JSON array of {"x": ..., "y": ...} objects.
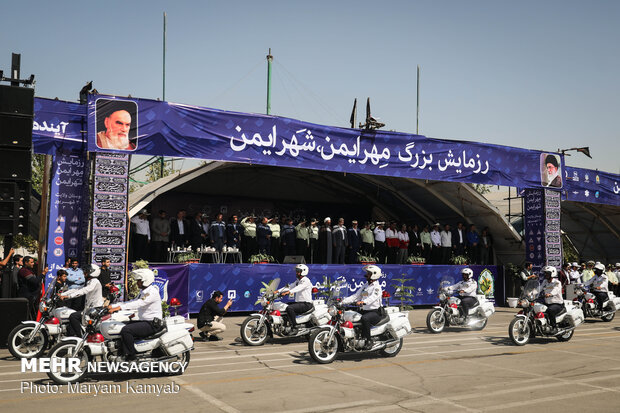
[{"x": 532, "y": 74}]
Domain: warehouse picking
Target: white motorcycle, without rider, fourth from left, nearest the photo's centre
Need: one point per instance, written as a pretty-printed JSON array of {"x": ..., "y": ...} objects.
[{"x": 343, "y": 334}]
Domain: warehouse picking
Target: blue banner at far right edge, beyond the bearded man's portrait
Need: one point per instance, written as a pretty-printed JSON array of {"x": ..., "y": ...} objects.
[{"x": 586, "y": 185}]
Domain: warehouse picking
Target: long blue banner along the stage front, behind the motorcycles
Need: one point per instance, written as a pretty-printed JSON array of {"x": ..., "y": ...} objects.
[{"x": 242, "y": 282}]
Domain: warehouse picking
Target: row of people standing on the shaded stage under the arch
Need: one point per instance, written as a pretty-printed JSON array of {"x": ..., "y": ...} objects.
[{"x": 324, "y": 242}]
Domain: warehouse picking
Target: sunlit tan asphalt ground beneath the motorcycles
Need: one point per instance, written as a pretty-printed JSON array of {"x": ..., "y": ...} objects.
[{"x": 457, "y": 370}]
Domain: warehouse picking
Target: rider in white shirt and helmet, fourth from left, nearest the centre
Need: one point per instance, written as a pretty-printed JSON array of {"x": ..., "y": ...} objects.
[{"x": 369, "y": 296}]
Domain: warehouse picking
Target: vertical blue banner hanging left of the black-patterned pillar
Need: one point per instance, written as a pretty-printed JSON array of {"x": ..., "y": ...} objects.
[{"x": 65, "y": 217}]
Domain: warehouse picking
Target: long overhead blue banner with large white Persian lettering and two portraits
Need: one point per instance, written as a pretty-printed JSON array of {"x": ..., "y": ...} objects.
[{"x": 151, "y": 127}]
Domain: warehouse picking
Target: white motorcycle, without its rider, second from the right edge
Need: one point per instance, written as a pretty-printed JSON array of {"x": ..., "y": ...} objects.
[{"x": 532, "y": 320}]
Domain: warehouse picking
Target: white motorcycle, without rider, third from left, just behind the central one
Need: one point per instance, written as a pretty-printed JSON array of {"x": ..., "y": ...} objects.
[{"x": 273, "y": 320}]
